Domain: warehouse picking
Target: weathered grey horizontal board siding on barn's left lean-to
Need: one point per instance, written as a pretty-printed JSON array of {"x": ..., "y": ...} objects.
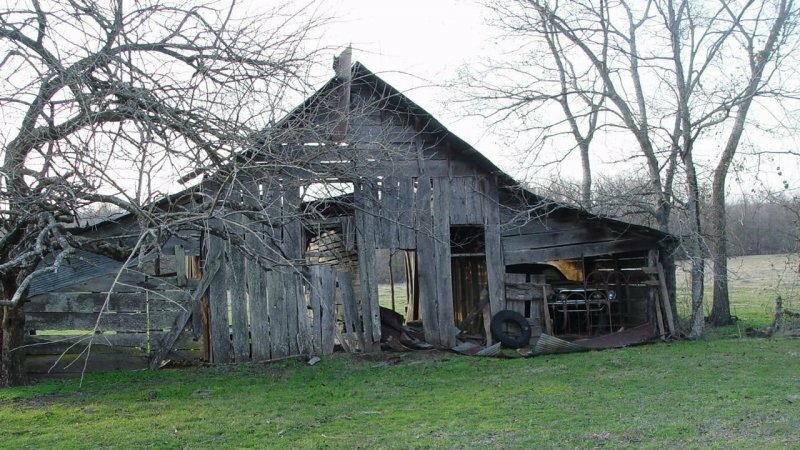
[{"x": 118, "y": 322}]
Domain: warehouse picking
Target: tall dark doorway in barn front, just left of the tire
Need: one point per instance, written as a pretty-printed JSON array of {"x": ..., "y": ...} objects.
[{"x": 468, "y": 270}]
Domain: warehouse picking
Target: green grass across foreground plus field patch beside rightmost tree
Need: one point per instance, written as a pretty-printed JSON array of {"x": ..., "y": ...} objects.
[{"x": 724, "y": 392}]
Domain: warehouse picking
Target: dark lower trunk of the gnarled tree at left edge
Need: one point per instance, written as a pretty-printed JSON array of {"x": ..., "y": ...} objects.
[{"x": 12, "y": 356}]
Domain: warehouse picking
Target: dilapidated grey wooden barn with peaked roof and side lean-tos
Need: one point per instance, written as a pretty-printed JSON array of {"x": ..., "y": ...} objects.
[{"x": 274, "y": 254}]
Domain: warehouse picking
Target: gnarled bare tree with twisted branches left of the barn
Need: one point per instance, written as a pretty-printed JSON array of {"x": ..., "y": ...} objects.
[{"x": 105, "y": 102}]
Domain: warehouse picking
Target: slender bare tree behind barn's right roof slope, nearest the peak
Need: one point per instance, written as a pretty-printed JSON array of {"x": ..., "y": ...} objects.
[{"x": 542, "y": 78}]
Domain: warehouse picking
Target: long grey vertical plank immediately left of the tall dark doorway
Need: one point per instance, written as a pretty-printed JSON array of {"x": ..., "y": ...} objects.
[{"x": 443, "y": 265}]
